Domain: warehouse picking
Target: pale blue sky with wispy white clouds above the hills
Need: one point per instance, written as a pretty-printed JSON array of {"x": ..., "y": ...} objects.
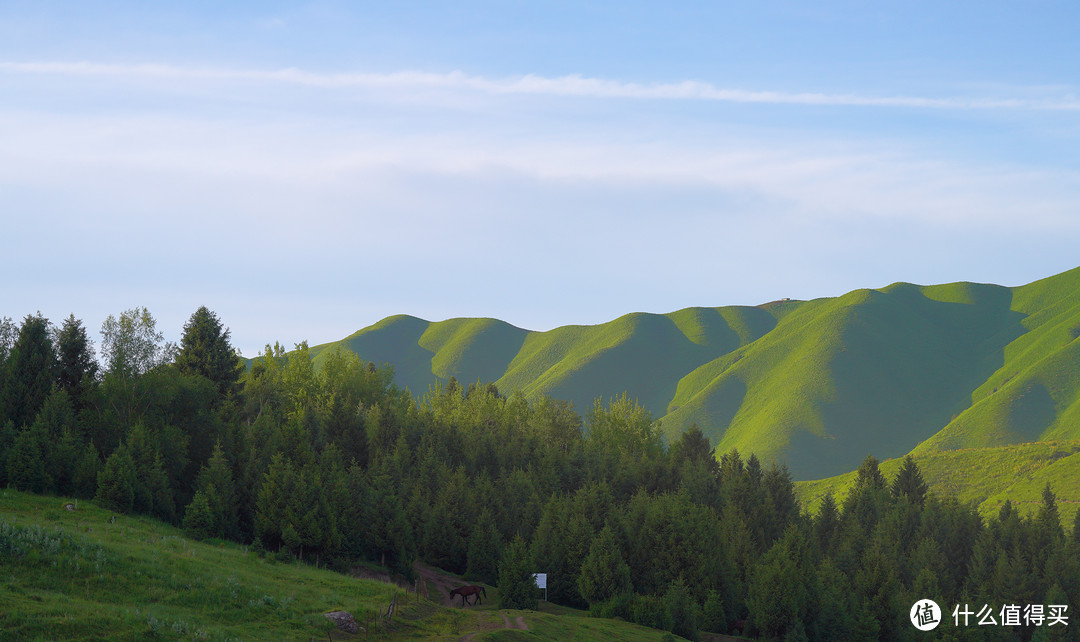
[{"x": 305, "y": 170}]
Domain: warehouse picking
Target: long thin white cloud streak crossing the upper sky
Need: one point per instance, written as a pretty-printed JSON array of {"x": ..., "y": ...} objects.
[{"x": 574, "y": 86}]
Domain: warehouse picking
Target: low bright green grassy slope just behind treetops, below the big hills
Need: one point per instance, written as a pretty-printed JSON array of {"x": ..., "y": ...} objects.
[{"x": 987, "y": 476}]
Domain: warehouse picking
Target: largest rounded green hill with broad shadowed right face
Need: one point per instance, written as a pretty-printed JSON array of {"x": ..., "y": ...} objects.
[{"x": 869, "y": 372}]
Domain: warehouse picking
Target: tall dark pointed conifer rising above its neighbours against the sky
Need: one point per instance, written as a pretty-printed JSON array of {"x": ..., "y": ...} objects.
[{"x": 206, "y": 351}]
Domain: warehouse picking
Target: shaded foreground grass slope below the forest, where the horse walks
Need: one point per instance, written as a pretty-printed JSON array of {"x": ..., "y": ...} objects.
[{"x": 85, "y": 578}]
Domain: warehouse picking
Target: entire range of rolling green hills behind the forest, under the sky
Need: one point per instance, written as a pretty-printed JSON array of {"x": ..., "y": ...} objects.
[{"x": 815, "y": 384}]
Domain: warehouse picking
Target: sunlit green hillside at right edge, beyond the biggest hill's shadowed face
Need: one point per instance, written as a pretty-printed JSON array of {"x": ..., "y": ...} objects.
[{"x": 1035, "y": 395}]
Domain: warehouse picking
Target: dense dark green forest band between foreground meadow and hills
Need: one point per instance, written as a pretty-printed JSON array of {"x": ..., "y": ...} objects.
[{"x": 336, "y": 464}]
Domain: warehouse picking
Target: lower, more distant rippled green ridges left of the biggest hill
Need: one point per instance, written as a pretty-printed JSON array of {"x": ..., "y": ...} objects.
[{"x": 641, "y": 354}]
